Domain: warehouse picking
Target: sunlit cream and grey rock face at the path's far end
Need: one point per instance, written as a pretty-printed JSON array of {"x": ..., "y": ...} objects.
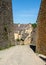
[{"x": 23, "y": 33}]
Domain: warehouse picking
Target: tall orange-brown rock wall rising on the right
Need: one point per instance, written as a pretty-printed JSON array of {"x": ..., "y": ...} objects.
[{"x": 41, "y": 32}]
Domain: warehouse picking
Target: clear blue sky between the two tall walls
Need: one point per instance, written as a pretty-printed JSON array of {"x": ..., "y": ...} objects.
[{"x": 25, "y": 11}]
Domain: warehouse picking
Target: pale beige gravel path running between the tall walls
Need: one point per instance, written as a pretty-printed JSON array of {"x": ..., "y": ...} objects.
[{"x": 19, "y": 55}]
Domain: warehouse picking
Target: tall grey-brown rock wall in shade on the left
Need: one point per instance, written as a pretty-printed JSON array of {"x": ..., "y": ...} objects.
[{"x": 6, "y": 23}]
